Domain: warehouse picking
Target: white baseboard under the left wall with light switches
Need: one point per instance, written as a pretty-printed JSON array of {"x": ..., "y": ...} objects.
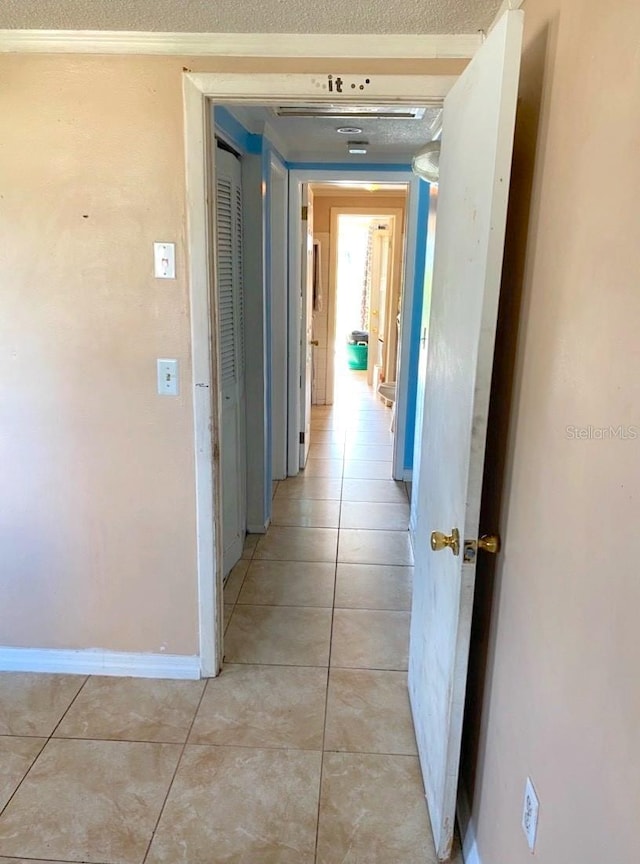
[{"x": 95, "y": 662}]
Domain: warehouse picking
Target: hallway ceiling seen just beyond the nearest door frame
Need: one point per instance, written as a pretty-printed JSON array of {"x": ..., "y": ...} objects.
[{"x": 316, "y": 139}]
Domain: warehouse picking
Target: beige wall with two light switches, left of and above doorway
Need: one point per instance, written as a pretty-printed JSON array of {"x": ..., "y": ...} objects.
[{"x": 97, "y": 514}]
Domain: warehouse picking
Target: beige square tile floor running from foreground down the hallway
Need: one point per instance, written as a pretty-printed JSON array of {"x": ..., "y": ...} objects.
[{"x": 301, "y": 752}]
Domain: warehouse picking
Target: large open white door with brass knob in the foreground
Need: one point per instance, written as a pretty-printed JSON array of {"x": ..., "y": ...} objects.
[{"x": 477, "y": 142}]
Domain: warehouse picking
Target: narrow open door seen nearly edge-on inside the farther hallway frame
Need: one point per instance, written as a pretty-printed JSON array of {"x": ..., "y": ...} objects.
[{"x": 306, "y": 324}]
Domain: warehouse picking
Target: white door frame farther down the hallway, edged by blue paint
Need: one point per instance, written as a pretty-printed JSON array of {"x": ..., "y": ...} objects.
[{"x": 349, "y": 175}]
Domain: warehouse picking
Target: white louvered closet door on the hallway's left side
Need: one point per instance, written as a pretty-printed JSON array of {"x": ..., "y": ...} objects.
[{"x": 231, "y": 353}]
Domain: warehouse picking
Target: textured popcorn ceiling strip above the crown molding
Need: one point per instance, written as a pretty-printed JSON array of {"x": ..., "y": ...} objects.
[{"x": 252, "y": 16}]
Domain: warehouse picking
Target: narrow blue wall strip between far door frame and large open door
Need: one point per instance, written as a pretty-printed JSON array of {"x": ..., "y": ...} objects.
[{"x": 416, "y": 321}]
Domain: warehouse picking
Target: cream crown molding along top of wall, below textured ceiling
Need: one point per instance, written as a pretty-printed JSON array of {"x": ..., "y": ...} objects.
[{"x": 334, "y": 45}]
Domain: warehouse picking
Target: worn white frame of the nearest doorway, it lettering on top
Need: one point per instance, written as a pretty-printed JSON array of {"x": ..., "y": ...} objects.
[{"x": 199, "y": 90}]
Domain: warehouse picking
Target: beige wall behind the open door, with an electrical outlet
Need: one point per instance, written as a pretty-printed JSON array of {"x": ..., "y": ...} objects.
[{"x": 561, "y": 695}]
